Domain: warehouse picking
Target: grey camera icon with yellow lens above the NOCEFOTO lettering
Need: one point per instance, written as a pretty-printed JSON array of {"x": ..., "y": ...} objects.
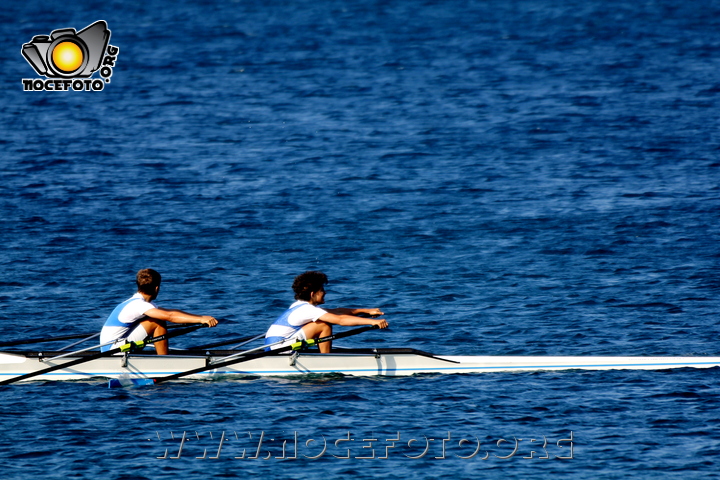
[{"x": 66, "y": 53}]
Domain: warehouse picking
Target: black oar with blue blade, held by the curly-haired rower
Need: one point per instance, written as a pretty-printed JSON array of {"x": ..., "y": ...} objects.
[{"x": 243, "y": 357}]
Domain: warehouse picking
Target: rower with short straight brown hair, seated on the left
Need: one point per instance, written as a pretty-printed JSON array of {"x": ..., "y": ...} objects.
[{"x": 137, "y": 318}]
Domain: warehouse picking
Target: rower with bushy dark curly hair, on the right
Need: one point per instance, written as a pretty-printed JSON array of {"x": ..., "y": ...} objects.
[{"x": 305, "y": 320}]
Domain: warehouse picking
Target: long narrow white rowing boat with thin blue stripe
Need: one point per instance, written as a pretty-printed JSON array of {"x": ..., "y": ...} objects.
[{"x": 357, "y": 362}]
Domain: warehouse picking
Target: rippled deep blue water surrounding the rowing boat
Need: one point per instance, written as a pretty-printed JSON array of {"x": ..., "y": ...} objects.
[{"x": 523, "y": 177}]
